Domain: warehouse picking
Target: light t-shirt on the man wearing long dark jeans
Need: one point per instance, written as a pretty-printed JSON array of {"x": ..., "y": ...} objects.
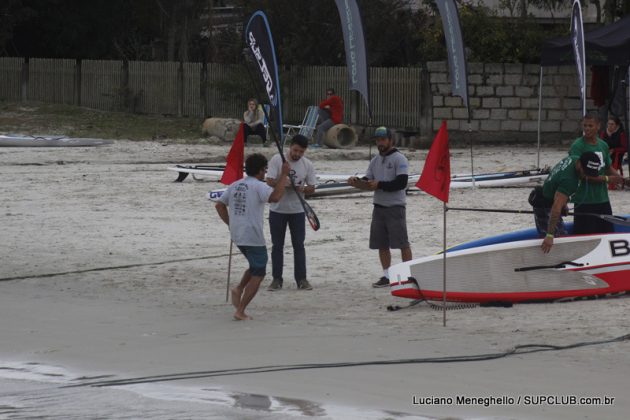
[{"x": 302, "y": 172}]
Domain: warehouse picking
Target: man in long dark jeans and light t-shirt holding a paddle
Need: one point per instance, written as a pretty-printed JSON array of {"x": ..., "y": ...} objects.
[{"x": 289, "y": 212}]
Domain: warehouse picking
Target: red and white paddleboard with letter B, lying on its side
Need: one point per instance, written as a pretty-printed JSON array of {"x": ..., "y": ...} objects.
[{"x": 513, "y": 268}]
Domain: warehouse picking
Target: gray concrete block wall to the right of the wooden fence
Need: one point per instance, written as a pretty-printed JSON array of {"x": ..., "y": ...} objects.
[{"x": 504, "y": 100}]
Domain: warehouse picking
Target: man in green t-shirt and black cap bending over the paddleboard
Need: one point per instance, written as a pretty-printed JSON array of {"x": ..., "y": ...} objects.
[{"x": 550, "y": 201}]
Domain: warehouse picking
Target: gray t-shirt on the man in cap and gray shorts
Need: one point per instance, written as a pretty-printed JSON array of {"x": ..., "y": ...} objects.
[{"x": 387, "y": 168}]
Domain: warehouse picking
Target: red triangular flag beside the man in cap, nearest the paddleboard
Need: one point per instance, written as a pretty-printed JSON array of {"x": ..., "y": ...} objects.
[{"x": 436, "y": 175}]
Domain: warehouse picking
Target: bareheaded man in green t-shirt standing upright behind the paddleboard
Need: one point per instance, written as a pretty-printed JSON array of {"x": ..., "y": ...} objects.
[{"x": 592, "y": 194}]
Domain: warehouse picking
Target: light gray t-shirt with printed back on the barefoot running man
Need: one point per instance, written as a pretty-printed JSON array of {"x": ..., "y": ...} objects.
[{"x": 246, "y": 205}]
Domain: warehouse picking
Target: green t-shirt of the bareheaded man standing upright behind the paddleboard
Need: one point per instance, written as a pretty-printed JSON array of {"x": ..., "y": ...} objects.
[{"x": 591, "y": 192}]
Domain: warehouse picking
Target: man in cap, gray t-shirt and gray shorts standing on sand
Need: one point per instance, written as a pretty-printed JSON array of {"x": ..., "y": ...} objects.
[{"x": 387, "y": 176}]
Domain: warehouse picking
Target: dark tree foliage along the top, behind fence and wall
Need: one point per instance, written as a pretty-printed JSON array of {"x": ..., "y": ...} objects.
[{"x": 306, "y": 32}]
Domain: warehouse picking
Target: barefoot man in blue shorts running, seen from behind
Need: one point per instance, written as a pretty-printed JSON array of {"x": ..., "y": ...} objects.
[{"x": 241, "y": 207}]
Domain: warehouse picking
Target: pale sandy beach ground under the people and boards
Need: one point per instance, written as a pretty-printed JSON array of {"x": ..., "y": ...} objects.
[{"x": 109, "y": 270}]
